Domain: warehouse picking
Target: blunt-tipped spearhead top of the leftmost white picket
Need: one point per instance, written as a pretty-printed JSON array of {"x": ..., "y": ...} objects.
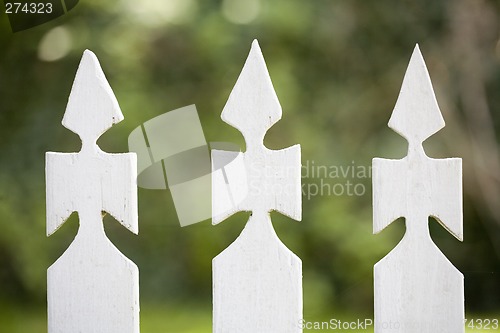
[{"x": 92, "y": 106}]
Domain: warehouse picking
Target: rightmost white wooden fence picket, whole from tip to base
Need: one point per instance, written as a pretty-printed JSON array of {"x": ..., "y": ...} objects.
[{"x": 417, "y": 290}]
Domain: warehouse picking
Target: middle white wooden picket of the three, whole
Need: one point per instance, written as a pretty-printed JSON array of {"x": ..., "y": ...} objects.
[{"x": 257, "y": 281}]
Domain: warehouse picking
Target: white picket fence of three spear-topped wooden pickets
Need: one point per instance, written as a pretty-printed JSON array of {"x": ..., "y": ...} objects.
[{"x": 257, "y": 280}]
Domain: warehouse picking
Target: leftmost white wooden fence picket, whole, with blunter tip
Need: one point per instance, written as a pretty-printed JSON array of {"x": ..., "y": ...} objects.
[{"x": 92, "y": 287}]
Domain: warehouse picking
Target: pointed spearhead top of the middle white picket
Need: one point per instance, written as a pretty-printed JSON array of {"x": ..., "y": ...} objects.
[{"x": 253, "y": 106}]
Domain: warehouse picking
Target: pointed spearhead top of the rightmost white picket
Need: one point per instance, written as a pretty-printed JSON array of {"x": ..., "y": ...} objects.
[{"x": 416, "y": 115}]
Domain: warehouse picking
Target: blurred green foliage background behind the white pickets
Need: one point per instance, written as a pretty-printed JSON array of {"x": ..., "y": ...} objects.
[{"x": 337, "y": 67}]
